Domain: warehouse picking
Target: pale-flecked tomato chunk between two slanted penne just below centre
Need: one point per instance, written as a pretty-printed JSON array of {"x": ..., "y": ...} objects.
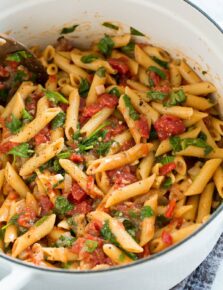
[{"x": 121, "y": 176}]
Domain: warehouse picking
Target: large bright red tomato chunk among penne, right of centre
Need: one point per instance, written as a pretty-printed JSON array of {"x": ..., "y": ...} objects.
[{"x": 168, "y": 125}]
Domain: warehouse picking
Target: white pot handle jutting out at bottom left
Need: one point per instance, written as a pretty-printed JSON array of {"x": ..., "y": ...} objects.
[{"x": 16, "y": 279}]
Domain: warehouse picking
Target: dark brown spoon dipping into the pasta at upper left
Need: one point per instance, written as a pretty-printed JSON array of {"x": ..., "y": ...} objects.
[{"x": 9, "y": 45}]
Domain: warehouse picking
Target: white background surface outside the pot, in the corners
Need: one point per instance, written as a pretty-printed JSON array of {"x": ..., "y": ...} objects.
[{"x": 214, "y": 8}]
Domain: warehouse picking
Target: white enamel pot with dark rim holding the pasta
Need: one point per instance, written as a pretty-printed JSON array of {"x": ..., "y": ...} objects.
[{"x": 182, "y": 30}]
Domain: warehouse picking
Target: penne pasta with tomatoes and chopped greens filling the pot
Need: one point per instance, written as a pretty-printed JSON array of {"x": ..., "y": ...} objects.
[{"x": 117, "y": 158}]
